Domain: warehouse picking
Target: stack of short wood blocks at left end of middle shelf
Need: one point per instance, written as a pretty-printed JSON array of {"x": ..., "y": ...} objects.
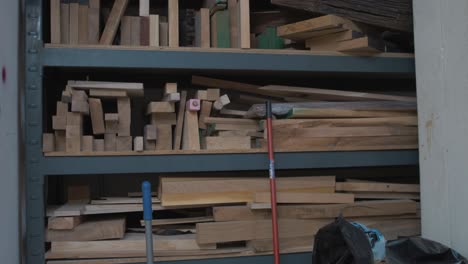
[{"x": 83, "y": 100}]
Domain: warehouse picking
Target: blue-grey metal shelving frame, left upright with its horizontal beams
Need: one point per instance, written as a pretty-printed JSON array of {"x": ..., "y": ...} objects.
[{"x": 38, "y": 57}]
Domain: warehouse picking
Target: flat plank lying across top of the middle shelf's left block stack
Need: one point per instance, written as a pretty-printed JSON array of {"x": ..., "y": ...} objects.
[{"x": 133, "y": 89}]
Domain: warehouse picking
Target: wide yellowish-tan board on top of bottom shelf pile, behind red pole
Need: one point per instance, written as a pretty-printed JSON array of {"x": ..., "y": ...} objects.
[{"x": 193, "y": 191}]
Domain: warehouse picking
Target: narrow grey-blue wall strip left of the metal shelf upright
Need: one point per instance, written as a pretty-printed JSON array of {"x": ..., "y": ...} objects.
[{"x": 9, "y": 176}]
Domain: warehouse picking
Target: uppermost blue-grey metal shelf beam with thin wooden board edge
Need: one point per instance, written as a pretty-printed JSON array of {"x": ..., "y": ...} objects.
[{"x": 249, "y": 60}]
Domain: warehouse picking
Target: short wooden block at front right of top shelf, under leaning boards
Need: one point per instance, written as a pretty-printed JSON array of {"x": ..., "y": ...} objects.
[{"x": 362, "y": 45}]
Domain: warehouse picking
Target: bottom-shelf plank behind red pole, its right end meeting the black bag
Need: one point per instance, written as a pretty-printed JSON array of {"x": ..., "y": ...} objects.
[{"x": 219, "y": 232}]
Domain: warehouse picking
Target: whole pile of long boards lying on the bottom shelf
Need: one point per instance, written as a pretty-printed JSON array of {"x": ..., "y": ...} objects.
[{"x": 224, "y": 216}]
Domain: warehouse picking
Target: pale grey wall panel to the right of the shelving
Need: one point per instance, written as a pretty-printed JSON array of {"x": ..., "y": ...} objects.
[{"x": 441, "y": 35}]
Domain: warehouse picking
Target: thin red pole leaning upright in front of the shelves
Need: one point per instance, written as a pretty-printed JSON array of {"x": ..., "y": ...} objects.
[{"x": 274, "y": 218}]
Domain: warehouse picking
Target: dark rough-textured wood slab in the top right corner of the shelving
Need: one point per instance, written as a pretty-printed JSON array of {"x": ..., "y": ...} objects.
[{"x": 395, "y": 15}]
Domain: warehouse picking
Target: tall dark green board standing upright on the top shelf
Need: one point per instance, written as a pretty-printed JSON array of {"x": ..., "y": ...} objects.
[{"x": 220, "y": 29}]
